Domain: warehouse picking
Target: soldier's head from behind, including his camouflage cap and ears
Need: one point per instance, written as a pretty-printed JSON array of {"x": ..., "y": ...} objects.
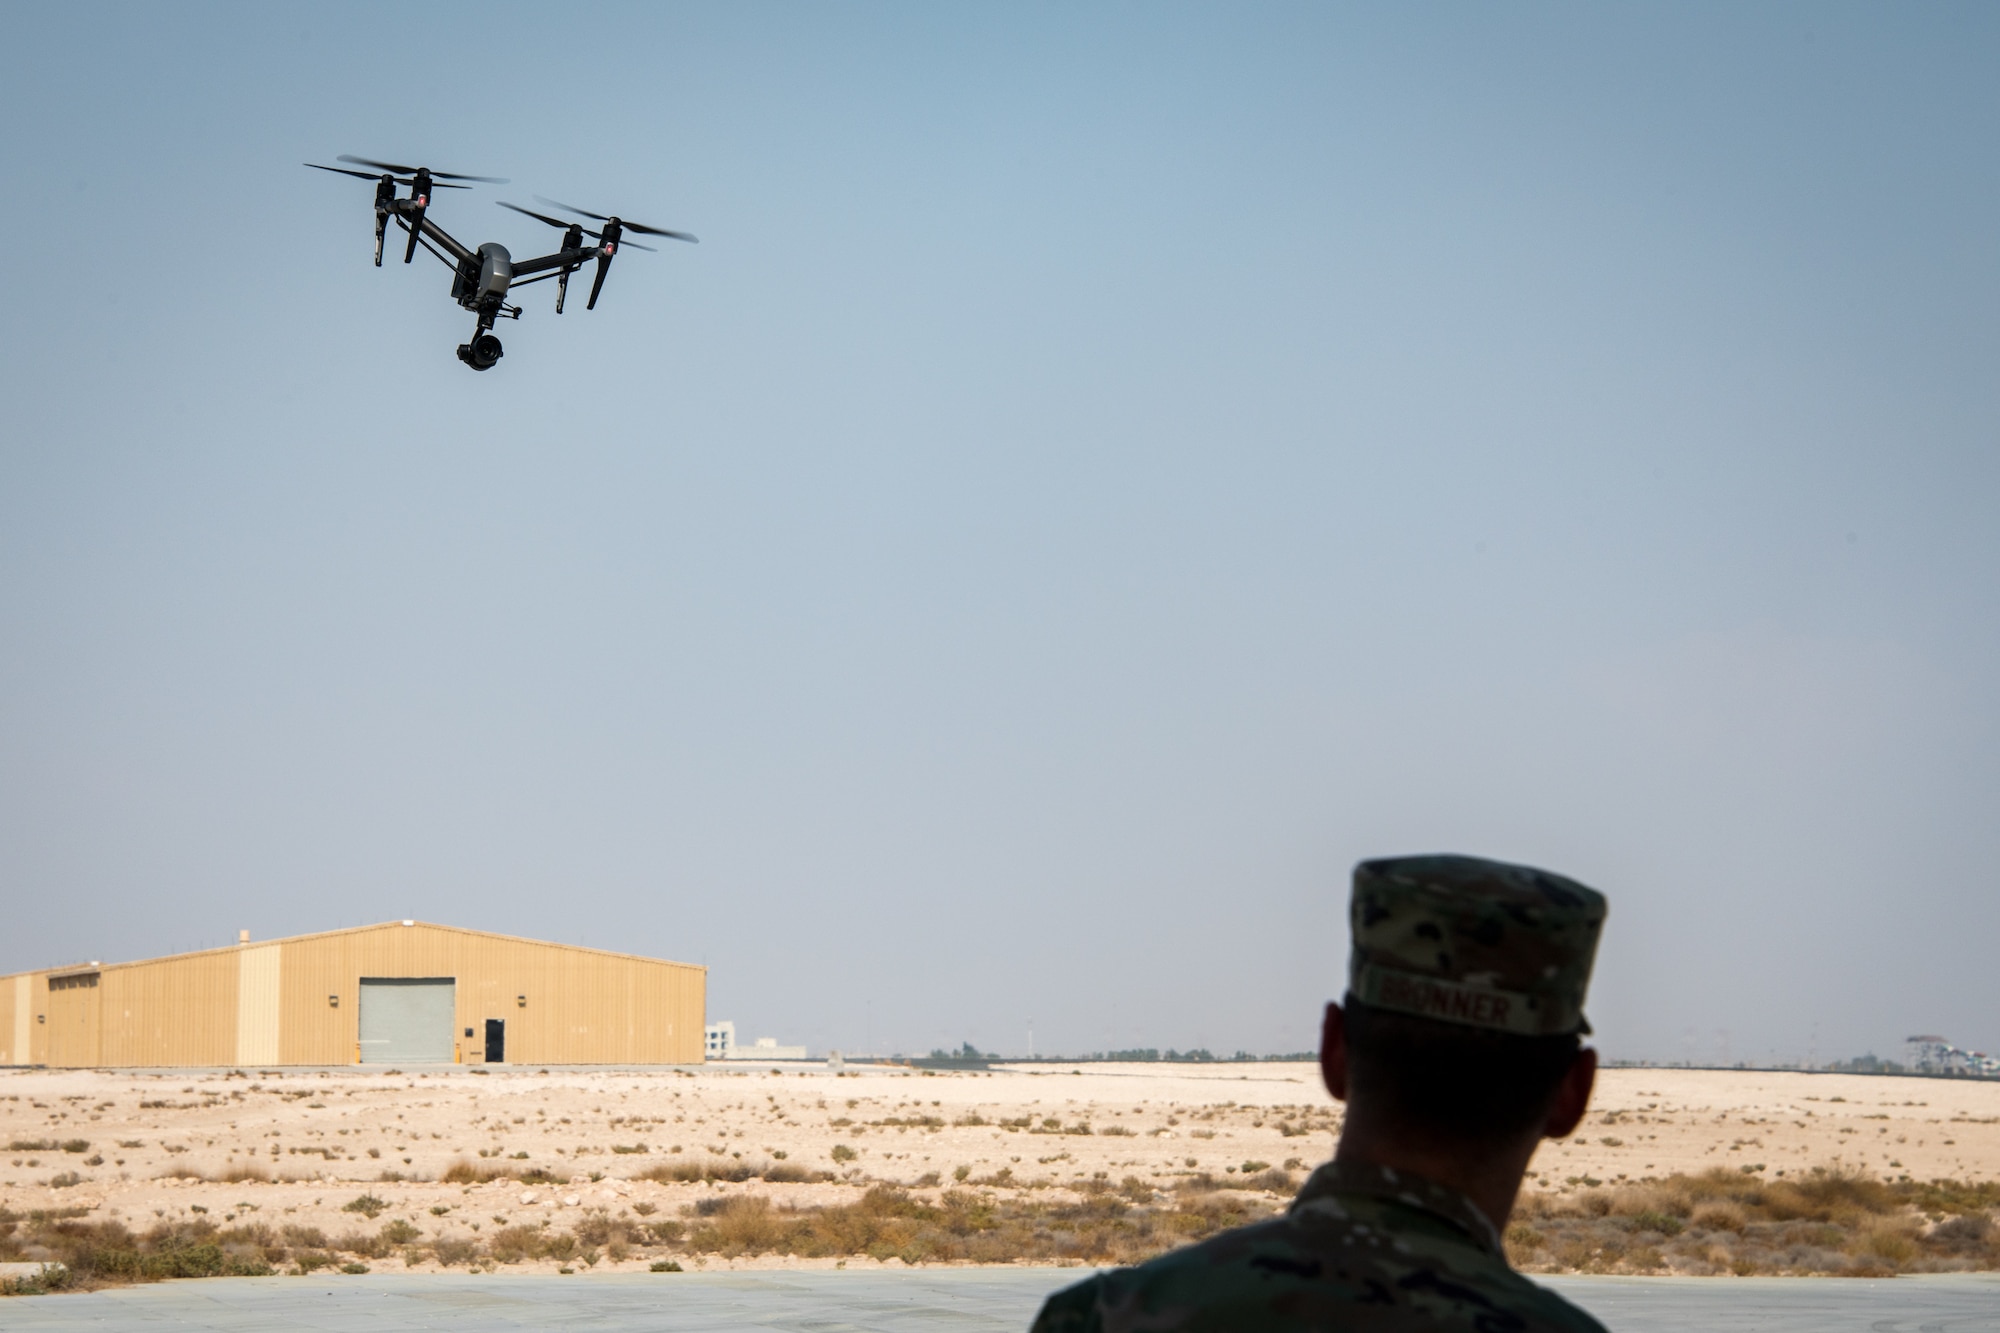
[{"x": 1465, "y": 1010}]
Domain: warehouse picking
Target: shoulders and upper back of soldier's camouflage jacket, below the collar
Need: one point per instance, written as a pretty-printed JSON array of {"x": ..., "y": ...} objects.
[{"x": 1281, "y": 1276}]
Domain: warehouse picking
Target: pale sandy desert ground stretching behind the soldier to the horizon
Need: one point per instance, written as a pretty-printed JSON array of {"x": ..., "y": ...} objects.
[{"x": 163, "y": 1146}]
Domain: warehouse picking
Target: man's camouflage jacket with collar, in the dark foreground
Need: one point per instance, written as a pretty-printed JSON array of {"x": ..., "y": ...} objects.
[{"x": 1363, "y": 1250}]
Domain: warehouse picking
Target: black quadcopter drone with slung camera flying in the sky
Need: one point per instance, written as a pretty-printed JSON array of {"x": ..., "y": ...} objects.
[{"x": 483, "y": 277}]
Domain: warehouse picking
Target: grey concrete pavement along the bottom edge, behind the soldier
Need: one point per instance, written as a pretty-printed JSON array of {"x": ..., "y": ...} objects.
[{"x": 949, "y": 1300}]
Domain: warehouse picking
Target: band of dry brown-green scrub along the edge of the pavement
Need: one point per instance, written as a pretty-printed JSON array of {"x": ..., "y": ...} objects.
[{"x": 1699, "y": 1226}]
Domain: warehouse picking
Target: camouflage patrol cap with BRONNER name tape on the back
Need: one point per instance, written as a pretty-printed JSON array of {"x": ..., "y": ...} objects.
[{"x": 1475, "y": 942}]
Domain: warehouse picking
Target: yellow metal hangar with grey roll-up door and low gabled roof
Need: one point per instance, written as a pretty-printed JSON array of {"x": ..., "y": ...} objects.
[{"x": 397, "y": 994}]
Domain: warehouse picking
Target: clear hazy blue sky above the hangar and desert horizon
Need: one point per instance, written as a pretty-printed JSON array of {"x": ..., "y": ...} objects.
[{"x": 1105, "y": 471}]
